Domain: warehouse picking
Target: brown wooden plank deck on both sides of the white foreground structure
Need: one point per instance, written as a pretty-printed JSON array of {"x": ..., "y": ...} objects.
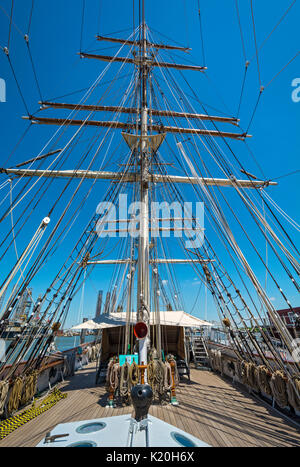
[{"x": 210, "y": 408}]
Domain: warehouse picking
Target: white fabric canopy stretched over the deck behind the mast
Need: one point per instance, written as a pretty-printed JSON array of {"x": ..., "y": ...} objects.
[{"x": 167, "y": 318}]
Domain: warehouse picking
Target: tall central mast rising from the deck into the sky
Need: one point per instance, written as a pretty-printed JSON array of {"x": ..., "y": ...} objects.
[{"x": 143, "y": 298}]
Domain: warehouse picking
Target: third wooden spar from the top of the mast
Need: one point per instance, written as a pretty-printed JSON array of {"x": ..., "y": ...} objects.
[{"x": 131, "y": 110}]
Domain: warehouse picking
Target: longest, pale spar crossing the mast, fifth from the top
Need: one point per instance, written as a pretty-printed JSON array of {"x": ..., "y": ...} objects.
[{"x": 132, "y": 177}]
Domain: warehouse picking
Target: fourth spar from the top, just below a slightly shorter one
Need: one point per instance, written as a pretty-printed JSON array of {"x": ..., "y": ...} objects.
[{"x": 132, "y": 126}]
